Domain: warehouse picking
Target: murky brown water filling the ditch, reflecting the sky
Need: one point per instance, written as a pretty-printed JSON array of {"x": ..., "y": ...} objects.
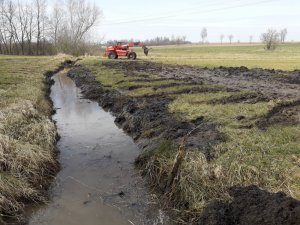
[{"x": 97, "y": 184}]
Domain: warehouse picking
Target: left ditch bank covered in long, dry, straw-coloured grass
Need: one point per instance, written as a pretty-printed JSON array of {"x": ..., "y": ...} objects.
[{"x": 29, "y": 156}]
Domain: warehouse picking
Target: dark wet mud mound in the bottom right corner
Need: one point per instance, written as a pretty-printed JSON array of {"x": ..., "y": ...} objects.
[{"x": 251, "y": 205}]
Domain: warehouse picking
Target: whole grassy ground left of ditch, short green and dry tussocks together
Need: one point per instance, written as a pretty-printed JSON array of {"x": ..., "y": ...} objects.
[{"x": 27, "y": 135}]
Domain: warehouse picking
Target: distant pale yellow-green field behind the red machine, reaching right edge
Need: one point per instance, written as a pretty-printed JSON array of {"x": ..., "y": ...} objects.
[{"x": 285, "y": 57}]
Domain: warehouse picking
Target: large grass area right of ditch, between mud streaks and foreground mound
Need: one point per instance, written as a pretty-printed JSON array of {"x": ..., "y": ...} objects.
[{"x": 267, "y": 158}]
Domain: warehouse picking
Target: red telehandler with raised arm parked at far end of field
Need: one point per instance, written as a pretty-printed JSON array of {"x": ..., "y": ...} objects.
[{"x": 120, "y": 49}]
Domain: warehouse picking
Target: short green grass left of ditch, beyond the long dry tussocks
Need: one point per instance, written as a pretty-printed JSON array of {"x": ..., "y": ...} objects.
[{"x": 20, "y": 78}]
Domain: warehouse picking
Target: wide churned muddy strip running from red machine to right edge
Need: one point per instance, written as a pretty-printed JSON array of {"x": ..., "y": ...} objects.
[{"x": 272, "y": 83}]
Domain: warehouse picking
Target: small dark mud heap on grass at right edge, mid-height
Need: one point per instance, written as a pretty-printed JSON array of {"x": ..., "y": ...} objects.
[{"x": 286, "y": 113}]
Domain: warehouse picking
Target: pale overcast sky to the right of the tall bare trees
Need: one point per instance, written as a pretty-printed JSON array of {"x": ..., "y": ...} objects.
[{"x": 142, "y": 20}]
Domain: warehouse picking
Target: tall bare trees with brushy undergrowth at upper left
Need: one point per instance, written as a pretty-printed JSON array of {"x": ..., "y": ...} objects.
[{"x": 30, "y": 28}]
